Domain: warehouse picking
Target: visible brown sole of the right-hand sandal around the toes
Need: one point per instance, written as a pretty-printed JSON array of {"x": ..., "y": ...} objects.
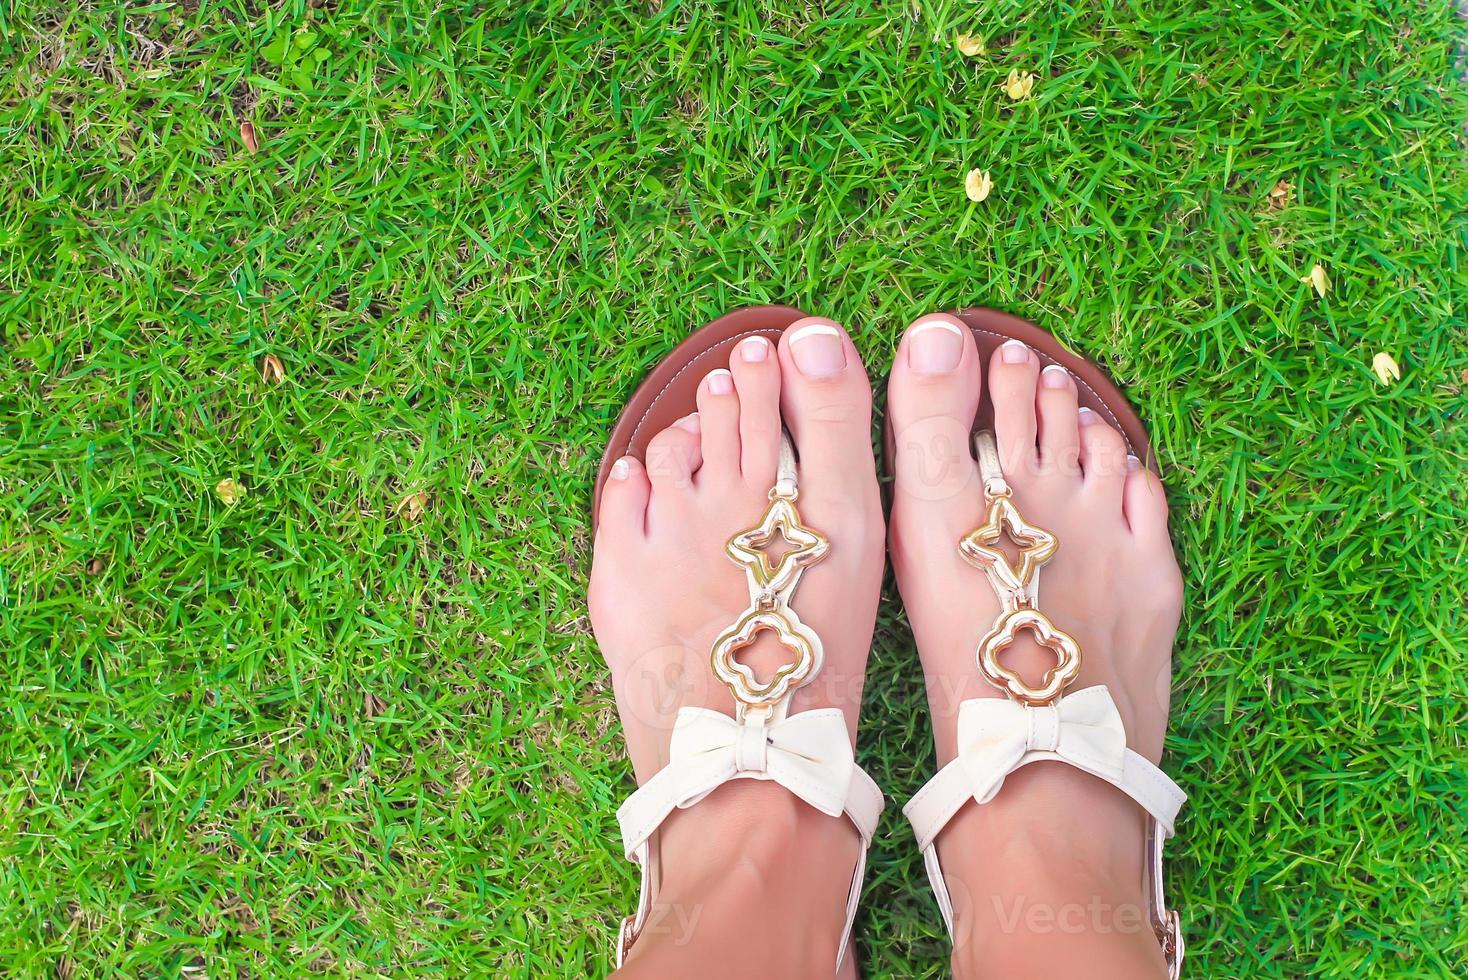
[{"x": 1096, "y": 391}]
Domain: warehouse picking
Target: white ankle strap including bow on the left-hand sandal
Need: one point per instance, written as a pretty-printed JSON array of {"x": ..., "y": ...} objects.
[{"x": 808, "y": 753}]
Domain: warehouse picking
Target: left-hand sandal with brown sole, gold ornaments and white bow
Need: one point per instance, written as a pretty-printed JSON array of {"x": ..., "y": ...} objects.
[{"x": 808, "y": 753}]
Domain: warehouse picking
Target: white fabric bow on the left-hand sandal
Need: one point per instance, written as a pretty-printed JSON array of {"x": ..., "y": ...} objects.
[{"x": 808, "y": 753}]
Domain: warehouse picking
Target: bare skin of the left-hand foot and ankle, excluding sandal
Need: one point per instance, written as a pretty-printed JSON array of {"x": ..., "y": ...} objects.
[{"x": 754, "y": 881}]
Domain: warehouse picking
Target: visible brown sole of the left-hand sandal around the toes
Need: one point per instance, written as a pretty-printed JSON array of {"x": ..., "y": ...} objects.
[{"x": 672, "y": 388}]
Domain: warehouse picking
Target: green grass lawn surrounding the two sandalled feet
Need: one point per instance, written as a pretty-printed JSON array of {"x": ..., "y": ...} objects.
[{"x": 310, "y": 733}]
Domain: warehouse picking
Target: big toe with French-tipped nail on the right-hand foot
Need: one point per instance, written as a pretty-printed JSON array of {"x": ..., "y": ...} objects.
[{"x": 933, "y": 398}]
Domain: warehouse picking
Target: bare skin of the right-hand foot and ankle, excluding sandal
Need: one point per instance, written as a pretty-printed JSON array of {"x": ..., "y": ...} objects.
[{"x": 1047, "y": 877}]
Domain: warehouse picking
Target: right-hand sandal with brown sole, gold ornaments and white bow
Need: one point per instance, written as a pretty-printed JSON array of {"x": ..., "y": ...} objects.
[{"x": 1046, "y": 723}]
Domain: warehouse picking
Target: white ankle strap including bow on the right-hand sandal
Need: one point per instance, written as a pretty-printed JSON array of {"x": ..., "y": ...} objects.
[{"x": 1084, "y": 730}]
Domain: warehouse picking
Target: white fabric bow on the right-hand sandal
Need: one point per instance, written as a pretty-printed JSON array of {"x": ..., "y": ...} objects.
[{"x": 998, "y": 737}]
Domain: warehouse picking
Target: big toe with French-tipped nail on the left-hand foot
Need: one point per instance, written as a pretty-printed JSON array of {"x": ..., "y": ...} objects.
[{"x": 827, "y": 401}]
